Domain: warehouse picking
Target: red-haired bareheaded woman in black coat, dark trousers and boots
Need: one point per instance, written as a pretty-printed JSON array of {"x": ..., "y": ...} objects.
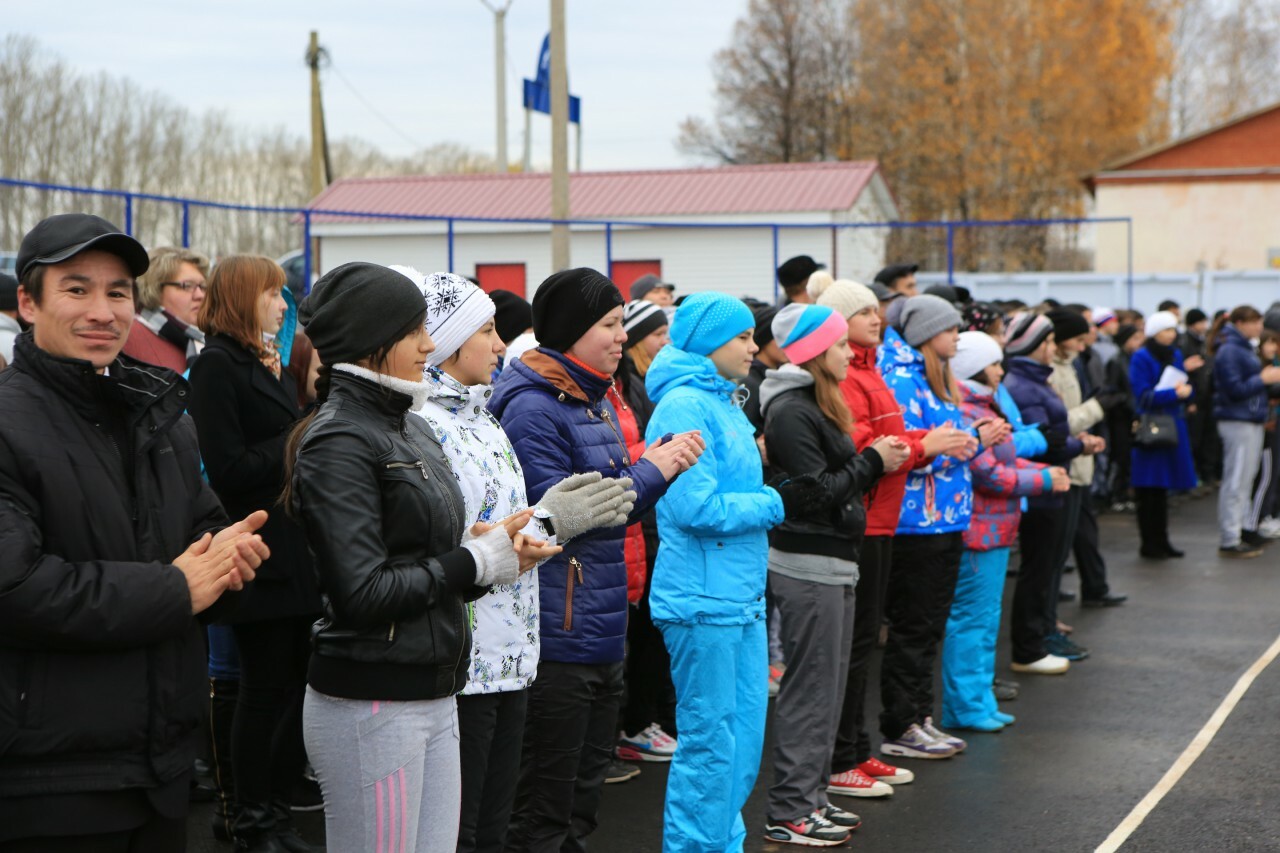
[{"x": 245, "y": 405}]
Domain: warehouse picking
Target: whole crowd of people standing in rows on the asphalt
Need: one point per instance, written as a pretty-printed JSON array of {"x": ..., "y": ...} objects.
[{"x": 463, "y": 560}]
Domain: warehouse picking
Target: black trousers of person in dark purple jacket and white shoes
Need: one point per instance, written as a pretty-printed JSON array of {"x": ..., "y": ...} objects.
[{"x": 1041, "y": 533}]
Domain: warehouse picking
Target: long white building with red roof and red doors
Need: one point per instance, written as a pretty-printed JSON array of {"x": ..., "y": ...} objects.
[{"x": 698, "y": 229}]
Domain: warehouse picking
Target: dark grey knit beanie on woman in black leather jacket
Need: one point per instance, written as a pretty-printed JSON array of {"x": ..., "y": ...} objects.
[{"x": 356, "y": 309}]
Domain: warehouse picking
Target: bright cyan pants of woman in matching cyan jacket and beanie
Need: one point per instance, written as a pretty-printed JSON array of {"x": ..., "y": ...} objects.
[{"x": 723, "y": 694}]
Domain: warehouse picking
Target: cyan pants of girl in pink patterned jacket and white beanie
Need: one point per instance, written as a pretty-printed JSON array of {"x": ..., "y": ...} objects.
[{"x": 970, "y": 650}]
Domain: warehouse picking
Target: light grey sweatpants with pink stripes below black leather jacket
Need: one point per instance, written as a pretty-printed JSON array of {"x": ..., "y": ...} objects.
[{"x": 388, "y": 772}]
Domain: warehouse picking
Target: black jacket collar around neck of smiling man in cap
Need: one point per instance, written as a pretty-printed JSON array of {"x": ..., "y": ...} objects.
[{"x": 129, "y": 389}]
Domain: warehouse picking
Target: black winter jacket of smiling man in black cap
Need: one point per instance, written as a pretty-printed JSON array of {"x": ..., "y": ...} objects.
[{"x": 102, "y": 664}]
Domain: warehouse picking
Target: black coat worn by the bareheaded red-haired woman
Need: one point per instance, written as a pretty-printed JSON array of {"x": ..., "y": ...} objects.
[{"x": 244, "y": 417}]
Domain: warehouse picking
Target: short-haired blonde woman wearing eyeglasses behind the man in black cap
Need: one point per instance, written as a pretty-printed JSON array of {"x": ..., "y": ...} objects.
[{"x": 171, "y": 293}]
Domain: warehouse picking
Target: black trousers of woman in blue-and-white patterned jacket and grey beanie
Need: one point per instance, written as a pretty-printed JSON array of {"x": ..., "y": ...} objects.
[{"x": 921, "y": 589}]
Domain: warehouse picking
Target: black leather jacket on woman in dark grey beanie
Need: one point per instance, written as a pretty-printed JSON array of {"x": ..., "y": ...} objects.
[{"x": 385, "y": 518}]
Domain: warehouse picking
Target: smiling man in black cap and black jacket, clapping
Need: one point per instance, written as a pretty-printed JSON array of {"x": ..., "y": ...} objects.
[{"x": 113, "y": 544}]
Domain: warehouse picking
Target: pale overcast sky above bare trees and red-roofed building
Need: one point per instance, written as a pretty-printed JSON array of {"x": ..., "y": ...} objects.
[{"x": 424, "y": 65}]
